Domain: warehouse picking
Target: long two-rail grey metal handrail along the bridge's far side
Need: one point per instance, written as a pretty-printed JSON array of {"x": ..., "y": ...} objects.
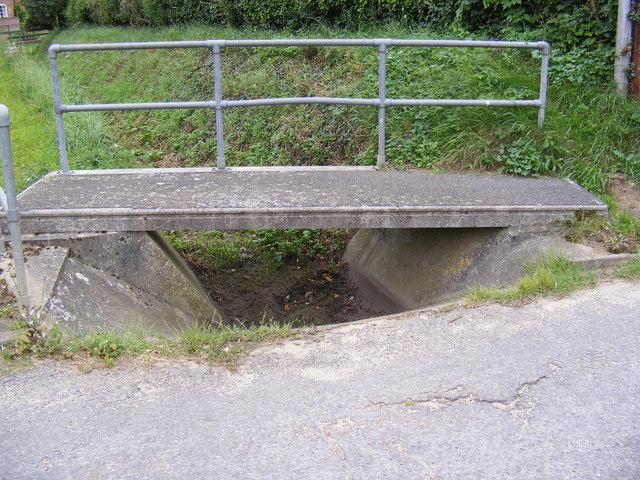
[{"x": 218, "y": 104}]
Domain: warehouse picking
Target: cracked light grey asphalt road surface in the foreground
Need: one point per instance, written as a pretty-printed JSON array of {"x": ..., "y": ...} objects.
[{"x": 548, "y": 390}]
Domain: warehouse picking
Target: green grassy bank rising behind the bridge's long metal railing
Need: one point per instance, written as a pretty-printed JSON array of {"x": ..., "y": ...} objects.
[{"x": 588, "y": 134}]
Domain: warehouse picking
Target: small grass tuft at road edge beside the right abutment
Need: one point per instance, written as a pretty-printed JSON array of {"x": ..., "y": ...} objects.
[{"x": 552, "y": 275}]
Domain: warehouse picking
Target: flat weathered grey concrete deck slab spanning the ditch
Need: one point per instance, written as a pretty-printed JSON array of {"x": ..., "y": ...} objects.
[{"x": 291, "y": 197}]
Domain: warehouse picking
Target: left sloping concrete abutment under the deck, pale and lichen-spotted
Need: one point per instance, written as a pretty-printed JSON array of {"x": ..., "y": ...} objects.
[{"x": 118, "y": 281}]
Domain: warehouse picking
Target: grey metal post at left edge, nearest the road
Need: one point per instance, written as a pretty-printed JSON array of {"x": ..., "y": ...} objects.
[{"x": 13, "y": 214}]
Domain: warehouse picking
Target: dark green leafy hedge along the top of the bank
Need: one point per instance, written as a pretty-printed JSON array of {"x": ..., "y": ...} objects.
[{"x": 566, "y": 23}]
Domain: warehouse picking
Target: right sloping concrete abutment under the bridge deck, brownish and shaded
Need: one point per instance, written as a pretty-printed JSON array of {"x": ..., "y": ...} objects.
[{"x": 396, "y": 270}]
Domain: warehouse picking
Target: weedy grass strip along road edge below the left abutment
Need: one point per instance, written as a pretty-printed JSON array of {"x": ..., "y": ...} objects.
[{"x": 218, "y": 344}]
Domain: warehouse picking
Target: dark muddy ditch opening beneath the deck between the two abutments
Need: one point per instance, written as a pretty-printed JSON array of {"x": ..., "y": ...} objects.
[{"x": 297, "y": 276}]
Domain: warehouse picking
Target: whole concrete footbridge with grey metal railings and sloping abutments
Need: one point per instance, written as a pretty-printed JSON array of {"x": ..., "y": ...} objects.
[{"x": 469, "y": 212}]
